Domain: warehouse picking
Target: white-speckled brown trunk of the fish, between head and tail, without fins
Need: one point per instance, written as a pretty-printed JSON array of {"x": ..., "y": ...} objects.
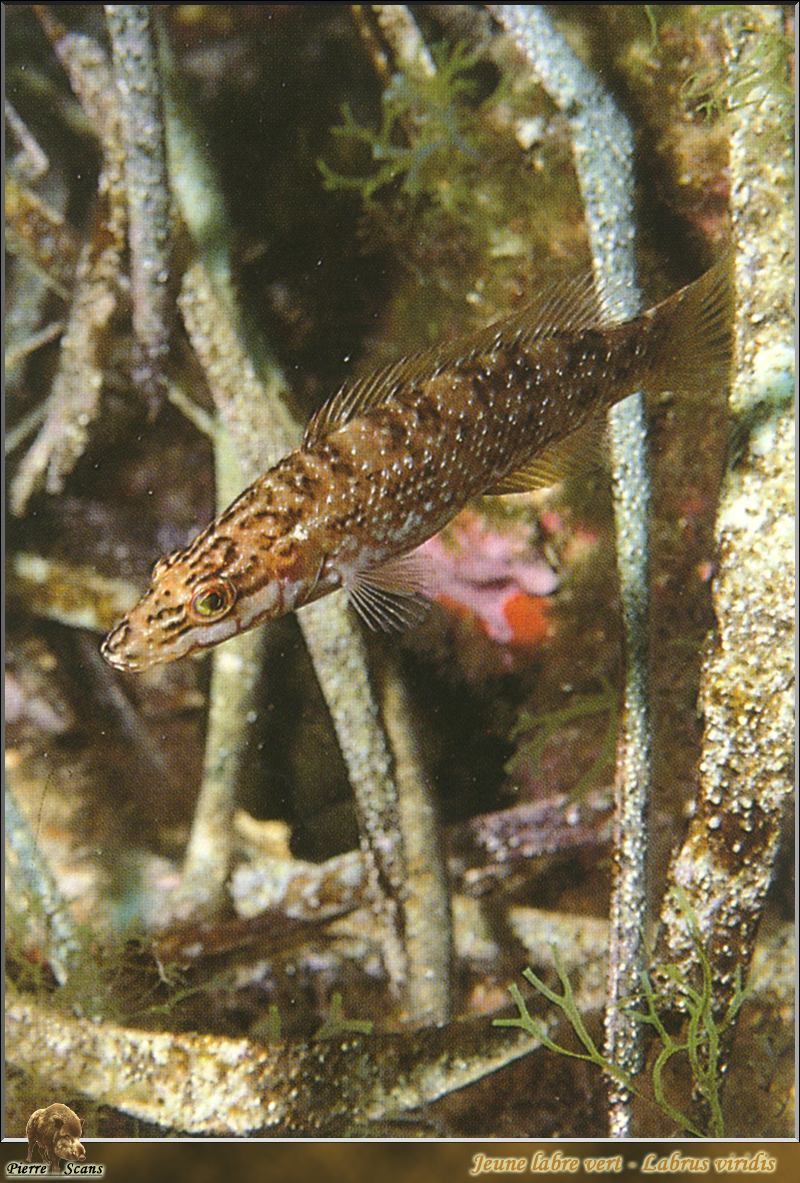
[{"x": 398, "y": 474}]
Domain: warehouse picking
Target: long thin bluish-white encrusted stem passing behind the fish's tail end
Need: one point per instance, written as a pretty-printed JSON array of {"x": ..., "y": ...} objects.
[{"x": 604, "y": 151}]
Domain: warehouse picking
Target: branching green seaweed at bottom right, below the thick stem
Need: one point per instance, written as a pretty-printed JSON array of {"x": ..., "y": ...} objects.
[{"x": 701, "y": 1042}]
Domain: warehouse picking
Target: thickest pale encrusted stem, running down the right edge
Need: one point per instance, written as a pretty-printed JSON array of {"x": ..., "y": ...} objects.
[{"x": 747, "y": 699}]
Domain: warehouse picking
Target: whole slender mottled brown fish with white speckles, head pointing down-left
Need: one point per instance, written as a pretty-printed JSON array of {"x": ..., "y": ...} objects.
[{"x": 396, "y": 455}]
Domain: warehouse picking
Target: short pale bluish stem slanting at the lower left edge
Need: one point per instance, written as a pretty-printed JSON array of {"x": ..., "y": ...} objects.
[{"x": 29, "y": 867}]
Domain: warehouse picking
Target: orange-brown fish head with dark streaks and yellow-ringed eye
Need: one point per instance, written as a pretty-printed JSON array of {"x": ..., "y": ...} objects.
[{"x": 208, "y": 593}]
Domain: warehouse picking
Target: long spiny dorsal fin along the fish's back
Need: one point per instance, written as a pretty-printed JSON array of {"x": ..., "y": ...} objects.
[{"x": 563, "y": 307}]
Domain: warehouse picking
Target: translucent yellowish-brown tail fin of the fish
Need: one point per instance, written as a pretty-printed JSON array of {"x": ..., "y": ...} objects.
[{"x": 695, "y": 335}]
